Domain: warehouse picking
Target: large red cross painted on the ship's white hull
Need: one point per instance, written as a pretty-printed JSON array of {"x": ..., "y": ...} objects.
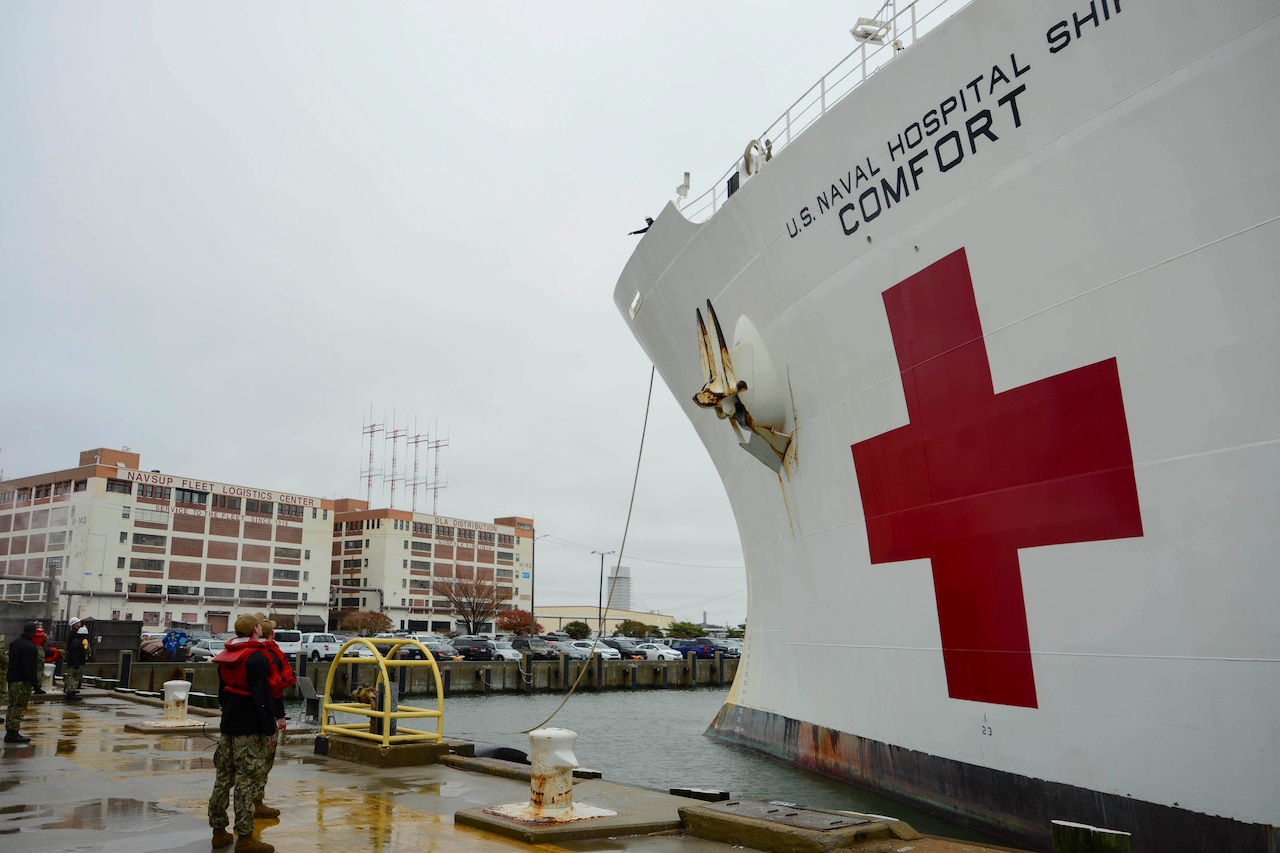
[{"x": 976, "y": 476}]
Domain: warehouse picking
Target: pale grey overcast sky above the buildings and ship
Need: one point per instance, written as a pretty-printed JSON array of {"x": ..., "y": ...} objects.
[{"x": 228, "y": 231}]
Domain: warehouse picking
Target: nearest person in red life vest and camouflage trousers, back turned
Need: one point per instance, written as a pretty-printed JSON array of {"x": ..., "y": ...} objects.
[{"x": 248, "y": 736}]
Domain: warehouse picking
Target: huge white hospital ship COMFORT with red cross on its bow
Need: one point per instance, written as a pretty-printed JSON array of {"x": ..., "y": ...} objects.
[{"x": 989, "y": 361}]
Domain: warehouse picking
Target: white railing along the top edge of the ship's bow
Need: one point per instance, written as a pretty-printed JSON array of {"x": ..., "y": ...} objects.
[{"x": 904, "y": 22}]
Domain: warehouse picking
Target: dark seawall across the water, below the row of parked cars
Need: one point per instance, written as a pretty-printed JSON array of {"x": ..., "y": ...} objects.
[{"x": 460, "y": 677}]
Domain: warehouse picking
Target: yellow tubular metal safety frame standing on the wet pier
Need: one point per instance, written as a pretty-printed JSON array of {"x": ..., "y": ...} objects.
[{"x": 387, "y": 664}]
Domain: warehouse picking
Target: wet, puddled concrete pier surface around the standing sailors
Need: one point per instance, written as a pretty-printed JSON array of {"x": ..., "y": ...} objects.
[{"x": 84, "y": 783}]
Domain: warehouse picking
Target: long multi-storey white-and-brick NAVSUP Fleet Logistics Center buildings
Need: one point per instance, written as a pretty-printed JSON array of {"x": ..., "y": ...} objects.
[{"x": 107, "y": 540}]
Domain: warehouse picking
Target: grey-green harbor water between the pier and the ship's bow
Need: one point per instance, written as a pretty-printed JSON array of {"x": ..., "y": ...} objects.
[{"x": 656, "y": 740}]
